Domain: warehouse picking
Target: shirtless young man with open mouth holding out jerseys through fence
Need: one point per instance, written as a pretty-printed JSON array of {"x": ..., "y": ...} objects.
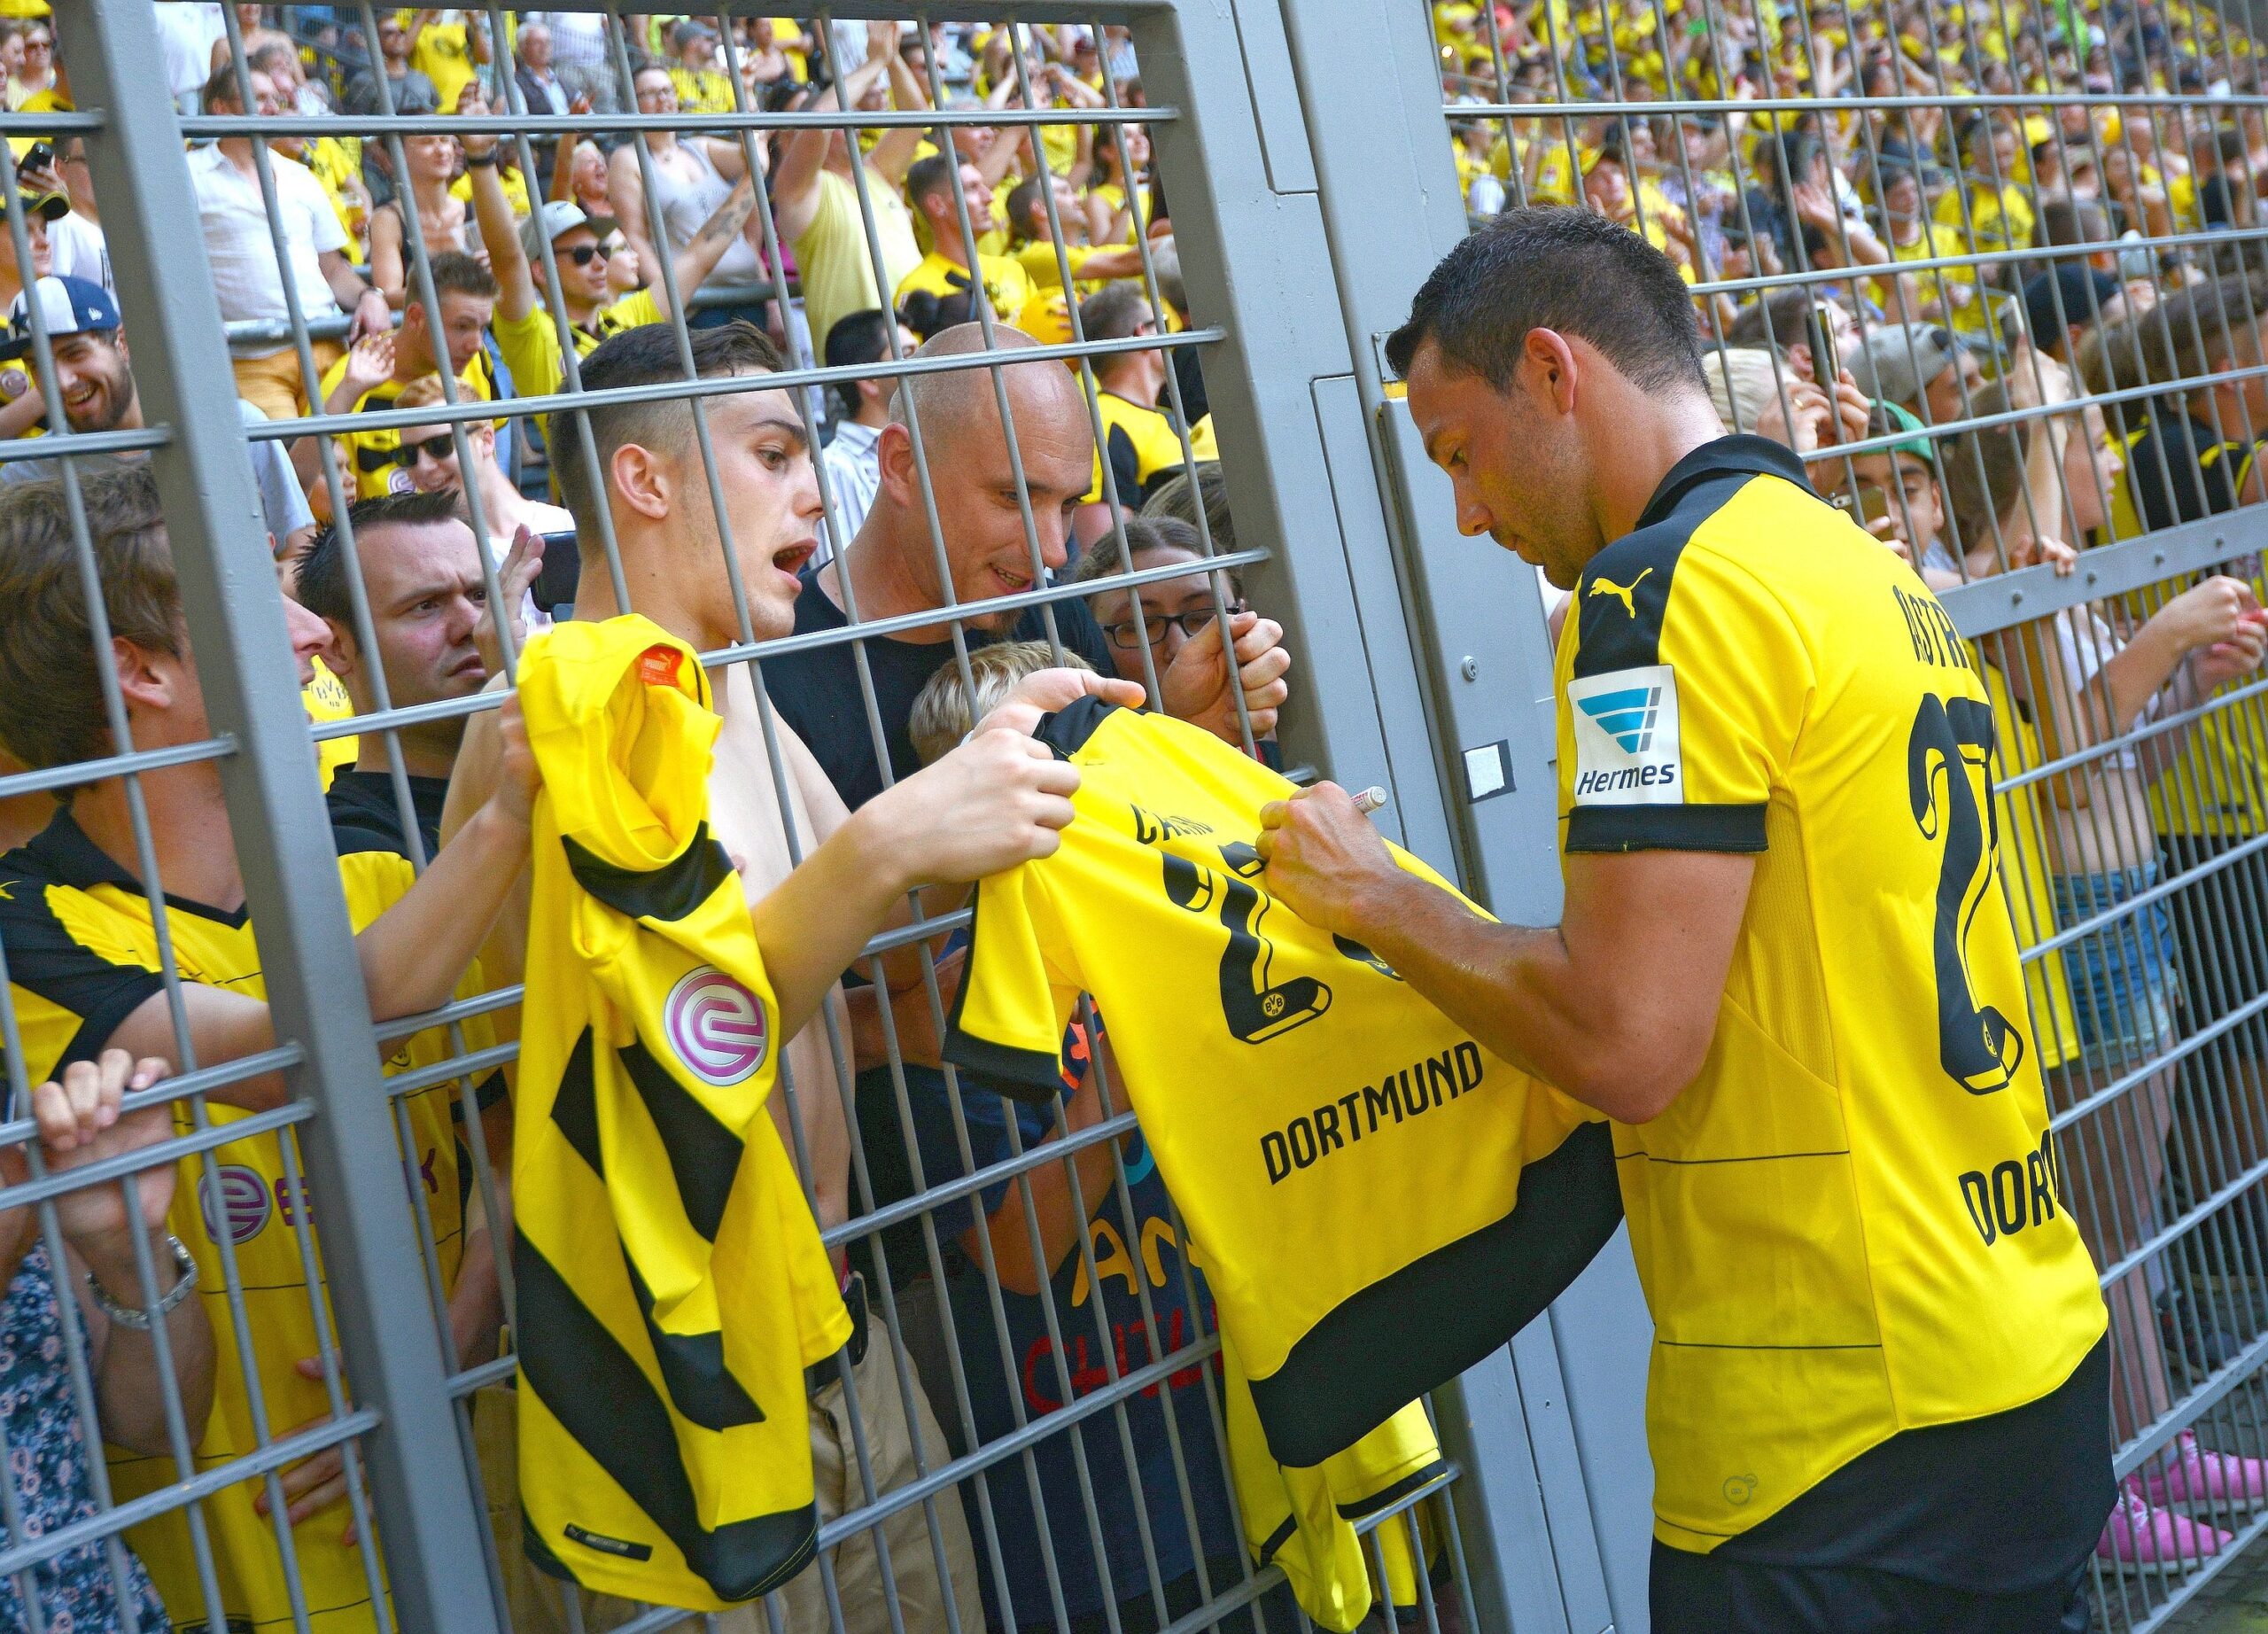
[{"x": 976, "y": 811}]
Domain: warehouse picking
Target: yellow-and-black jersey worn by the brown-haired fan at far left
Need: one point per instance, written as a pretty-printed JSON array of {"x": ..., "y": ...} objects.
[{"x": 83, "y": 957}]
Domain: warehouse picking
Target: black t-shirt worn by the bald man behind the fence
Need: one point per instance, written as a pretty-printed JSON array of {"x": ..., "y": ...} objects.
[{"x": 818, "y": 691}]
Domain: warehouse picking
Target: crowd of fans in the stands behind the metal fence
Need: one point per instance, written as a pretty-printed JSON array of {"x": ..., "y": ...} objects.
[{"x": 1979, "y": 262}]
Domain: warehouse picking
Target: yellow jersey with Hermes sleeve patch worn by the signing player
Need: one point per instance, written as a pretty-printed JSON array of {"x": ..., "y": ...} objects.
[{"x": 1852, "y": 1222}]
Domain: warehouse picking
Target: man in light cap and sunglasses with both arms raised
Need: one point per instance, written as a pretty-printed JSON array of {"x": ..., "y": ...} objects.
[{"x": 525, "y": 328}]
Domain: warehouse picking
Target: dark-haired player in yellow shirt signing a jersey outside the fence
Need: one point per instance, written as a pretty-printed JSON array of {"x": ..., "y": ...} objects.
[{"x": 1786, "y": 970}]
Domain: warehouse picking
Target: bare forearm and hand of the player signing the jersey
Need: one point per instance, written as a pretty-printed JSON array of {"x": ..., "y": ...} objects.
[{"x": 1616, "y": 1004}]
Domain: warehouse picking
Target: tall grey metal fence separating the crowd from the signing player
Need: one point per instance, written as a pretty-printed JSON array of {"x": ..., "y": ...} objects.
[{"x": 1024, "y": 1445}]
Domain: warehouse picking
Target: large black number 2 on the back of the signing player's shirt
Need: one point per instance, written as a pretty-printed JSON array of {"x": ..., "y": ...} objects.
[{"x": 1977, "y": 1045}]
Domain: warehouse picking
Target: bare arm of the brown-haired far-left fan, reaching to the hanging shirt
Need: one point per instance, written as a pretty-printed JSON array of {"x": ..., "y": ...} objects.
[{"x": 412, "y": 957}]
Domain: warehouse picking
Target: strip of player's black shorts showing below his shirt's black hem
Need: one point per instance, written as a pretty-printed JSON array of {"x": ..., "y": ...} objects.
[{"x": 1700, "y": 1594}]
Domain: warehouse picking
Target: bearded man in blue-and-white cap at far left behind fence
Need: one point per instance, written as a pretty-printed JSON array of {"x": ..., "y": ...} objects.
[{"x": 94, "y": 378}]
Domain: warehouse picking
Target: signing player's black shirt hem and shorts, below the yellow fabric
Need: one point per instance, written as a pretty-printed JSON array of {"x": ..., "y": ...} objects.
[{"x": 1983, "y": 1526}]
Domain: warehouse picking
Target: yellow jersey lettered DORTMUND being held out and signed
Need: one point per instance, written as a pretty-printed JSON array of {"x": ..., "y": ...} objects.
[{"x": 1344, "y": 1156}]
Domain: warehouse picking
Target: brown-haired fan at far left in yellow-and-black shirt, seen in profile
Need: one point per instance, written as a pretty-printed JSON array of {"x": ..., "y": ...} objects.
[{"x": 85, "y": 972}]
